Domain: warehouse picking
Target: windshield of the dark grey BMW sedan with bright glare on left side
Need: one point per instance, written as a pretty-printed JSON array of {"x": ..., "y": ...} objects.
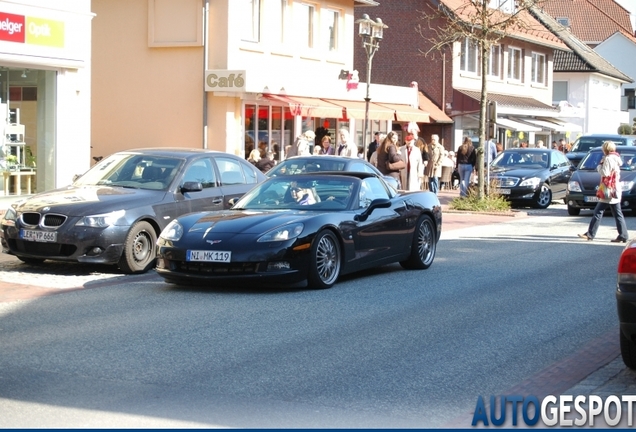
[{"x": 133, "y": 171}]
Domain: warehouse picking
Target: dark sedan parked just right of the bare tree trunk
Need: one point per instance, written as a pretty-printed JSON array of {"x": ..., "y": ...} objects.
[{"x": 531, "y": 176}]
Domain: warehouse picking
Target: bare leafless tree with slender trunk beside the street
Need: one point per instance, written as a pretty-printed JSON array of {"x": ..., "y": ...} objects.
[{"x": 476, "y": 22}]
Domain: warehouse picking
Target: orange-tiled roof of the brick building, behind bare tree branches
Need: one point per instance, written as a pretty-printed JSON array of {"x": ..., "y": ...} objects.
[{"x": 530, "y": 30}]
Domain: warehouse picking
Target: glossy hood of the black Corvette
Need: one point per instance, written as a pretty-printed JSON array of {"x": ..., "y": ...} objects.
[{"x": 241, "y": 221}]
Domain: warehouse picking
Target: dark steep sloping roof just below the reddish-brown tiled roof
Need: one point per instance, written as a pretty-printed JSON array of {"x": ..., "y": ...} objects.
[{"x": 582, "y": 58}]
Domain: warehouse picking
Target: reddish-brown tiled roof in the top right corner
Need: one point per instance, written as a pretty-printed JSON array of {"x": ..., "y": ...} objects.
[{"x": 592, "y": 21}]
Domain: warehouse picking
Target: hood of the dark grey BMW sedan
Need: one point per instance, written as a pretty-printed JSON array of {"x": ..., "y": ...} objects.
[{"x": 74, "y": 201}]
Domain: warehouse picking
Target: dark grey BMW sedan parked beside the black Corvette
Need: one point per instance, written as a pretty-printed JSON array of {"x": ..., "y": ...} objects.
[{"x": 114, "y": 212}]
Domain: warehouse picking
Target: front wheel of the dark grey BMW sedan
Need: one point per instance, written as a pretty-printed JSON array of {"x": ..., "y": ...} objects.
[{"x": 139, "y": 249}]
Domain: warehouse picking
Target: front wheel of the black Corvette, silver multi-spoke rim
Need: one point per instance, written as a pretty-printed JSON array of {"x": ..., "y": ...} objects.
[{"x": 324, "y": 263}]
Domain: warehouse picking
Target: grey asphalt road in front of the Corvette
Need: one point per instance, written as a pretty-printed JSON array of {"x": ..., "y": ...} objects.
[{"x": 502, "y": 304}]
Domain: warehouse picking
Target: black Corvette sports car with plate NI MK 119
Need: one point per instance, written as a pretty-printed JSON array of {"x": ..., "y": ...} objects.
[{"x": 304, "y": 229}]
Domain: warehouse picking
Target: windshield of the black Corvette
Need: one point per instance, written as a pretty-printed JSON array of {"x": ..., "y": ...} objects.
[{"x": 304, "y": 193}]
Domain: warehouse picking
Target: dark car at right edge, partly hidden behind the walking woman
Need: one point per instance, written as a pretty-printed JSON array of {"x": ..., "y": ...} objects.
[{"x": 581, "y": 194}]
